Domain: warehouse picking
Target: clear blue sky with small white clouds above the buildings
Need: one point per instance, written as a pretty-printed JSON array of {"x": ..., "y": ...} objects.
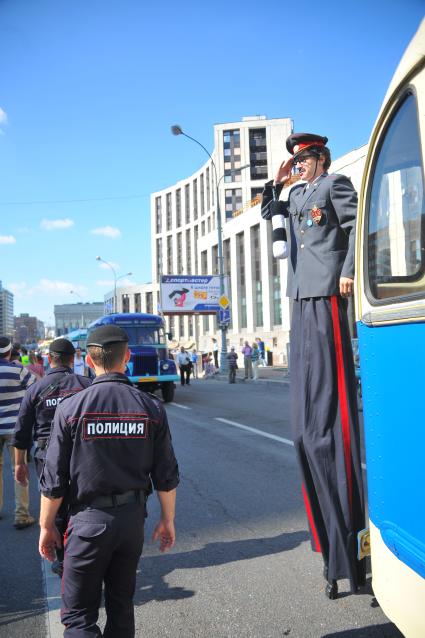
[{"x": 89, "y": 90}]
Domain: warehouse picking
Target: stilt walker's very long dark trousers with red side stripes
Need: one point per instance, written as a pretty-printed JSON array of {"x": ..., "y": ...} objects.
[{"x": 326, "y": 432}]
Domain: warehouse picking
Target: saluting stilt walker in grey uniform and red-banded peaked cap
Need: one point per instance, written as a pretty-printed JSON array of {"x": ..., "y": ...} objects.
[{"x": 321, "y": 215}]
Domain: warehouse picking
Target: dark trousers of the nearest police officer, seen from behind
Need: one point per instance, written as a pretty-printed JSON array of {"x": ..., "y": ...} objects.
[{"x": 102, "y": 546}]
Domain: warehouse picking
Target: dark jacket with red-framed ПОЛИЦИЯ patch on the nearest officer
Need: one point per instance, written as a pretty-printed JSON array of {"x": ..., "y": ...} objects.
[{"x": 108, "y": 439}]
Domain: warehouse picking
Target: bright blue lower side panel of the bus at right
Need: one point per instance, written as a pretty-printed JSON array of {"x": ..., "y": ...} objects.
[{"x": 392, "y": 360}]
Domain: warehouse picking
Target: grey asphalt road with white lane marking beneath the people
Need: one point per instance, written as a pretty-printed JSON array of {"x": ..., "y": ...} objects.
[{"x": 242, "y": 565}]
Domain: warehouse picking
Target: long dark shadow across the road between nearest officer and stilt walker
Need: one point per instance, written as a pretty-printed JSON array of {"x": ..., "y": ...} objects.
[{"x": 151, "y": 581}]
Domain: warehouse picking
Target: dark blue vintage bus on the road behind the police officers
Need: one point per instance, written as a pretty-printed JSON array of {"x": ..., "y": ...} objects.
[{"x": 150, "y": 367}]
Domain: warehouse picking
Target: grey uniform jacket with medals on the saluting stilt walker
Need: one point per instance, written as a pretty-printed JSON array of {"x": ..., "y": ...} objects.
[{"x": 320, "y": 224}]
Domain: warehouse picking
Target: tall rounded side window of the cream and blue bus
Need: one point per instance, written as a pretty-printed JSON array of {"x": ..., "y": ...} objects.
[{"x": 396, "y": 224}]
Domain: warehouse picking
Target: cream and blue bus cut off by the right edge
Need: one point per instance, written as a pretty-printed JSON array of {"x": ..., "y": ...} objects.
[{"x": 390, "y": 316}]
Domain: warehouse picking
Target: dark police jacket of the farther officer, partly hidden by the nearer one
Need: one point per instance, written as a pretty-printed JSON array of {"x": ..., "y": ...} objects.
[{"x": 35, "y": 416}]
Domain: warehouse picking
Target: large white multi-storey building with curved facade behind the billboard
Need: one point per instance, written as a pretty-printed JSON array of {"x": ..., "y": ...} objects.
[{"x": 184, "y": 236}]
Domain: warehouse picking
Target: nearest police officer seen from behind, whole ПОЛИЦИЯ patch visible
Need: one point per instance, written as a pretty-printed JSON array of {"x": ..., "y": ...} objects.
[{"x": 108, "y": 444}]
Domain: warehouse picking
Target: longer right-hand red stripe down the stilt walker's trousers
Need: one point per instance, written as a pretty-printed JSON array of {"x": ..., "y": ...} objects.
[{"x": 342, "y": 395}]
